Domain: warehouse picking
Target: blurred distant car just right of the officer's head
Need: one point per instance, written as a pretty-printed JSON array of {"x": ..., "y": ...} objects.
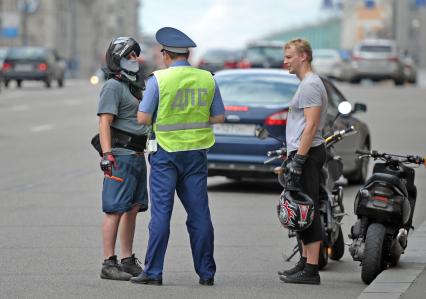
[{"x": 217, "y": 59}]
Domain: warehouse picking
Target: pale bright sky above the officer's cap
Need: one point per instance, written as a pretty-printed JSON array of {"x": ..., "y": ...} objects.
[{"x": 227, "y": 23}]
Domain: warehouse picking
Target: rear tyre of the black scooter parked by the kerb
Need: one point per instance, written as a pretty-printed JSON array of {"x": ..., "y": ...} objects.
[{"x": 373, "y": 262}]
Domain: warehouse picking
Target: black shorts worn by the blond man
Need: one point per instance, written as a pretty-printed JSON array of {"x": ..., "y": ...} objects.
[{"x": 310, "y": 182}]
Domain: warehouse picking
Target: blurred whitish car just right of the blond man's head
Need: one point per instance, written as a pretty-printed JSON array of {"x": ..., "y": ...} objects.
[{"x": 331, "y": 63}]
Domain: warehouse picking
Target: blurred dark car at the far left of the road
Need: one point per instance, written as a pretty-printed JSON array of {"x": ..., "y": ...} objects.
[{"x": 33, "y": 63}]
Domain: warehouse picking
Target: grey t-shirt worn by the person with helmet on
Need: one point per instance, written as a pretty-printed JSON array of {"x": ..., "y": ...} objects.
[{"x": 116, "y": 99}]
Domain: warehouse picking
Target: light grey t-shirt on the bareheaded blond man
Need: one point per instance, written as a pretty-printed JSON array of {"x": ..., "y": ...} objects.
[{"x": 310, "y": 93}]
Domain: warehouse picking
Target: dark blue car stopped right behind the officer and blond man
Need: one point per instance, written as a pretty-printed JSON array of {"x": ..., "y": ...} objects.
[{"x": 260, "y": 98}]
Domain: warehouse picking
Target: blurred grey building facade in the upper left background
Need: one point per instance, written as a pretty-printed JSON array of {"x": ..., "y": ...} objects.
[{"x": 79, "y": 29}]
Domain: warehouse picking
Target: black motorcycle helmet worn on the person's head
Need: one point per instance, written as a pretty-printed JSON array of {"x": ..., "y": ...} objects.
[{"x": 118, "y": 48}]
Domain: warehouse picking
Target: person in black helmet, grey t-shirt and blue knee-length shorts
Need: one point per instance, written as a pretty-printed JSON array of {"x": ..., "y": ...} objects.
[{"x": 123, "y": 142}]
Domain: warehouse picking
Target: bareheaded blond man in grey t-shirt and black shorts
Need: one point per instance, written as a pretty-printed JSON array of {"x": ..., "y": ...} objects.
[{"x": 306, "y": 152}]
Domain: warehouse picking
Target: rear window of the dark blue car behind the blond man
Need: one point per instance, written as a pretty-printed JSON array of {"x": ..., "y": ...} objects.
[{"x": 256, "y": 89}]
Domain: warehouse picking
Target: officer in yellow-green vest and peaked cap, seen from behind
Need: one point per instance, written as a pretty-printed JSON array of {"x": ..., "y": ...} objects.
[{"x": 182, "y": 102}]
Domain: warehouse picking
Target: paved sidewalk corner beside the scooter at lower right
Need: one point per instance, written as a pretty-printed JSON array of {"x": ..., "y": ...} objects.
[{"x": 408, "y": 279}]
